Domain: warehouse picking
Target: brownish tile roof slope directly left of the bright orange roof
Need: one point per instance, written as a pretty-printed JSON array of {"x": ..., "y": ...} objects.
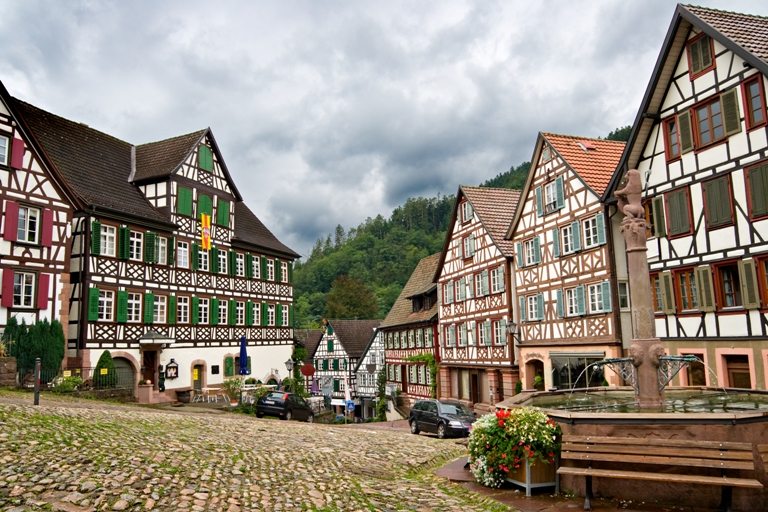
[{"x": 496, "y": 208}]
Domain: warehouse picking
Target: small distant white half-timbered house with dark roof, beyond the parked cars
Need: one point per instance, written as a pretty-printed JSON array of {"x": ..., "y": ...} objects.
[{"x": 341, "y": 346}]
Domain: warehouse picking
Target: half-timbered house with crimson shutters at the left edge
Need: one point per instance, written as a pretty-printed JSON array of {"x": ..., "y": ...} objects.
[{"x": 36, "y": 208}]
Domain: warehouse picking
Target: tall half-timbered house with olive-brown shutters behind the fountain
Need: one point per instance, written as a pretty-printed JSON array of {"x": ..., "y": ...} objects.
[{"x": 700, "y": 142}]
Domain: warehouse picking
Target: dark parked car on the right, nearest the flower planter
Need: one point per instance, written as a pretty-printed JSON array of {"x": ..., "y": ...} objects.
[{"x": 442, "y": 417}]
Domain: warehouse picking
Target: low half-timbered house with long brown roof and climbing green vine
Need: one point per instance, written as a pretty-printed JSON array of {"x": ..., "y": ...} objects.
[{"x": 410, "y": 335}]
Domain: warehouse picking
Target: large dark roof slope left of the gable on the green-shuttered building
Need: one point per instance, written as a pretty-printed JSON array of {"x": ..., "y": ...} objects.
[{"x": 95, "y": 165}]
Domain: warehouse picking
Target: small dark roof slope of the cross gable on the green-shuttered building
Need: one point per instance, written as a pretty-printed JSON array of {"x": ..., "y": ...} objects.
[{"x": 159, "y": 159}]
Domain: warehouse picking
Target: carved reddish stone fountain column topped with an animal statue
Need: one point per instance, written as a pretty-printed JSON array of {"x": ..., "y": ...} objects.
[{"x": 646, "y": 348}]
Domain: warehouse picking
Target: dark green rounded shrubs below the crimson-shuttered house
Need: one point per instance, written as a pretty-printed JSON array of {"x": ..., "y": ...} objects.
[{"x": 41, "y": 339}]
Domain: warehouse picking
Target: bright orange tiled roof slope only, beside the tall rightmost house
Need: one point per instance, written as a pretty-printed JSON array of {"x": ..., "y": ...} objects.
[{"x": 595, "y": 160}]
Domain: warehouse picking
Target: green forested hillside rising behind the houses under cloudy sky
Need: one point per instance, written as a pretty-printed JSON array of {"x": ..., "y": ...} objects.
[{"x": 358, "y": 272}]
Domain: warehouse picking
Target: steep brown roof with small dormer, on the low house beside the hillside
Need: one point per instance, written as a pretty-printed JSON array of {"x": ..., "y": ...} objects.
[{"x": 421, "y": 281}]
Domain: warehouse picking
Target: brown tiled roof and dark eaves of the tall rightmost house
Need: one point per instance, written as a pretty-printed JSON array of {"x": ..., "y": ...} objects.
[{"x": 744, "y": 34}]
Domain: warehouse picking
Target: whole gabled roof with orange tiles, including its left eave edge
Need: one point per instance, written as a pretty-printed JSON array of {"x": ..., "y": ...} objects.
[{"x": 593, "y": 160}]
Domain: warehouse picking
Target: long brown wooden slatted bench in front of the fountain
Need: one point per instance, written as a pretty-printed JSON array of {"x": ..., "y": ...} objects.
[{"x": 660, "y": 460}]
